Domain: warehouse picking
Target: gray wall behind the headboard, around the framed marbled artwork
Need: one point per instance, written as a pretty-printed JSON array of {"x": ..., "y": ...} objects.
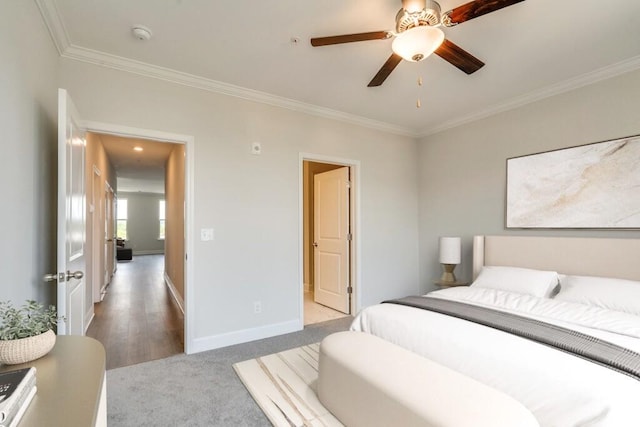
[{"x": 463, "y": 170}]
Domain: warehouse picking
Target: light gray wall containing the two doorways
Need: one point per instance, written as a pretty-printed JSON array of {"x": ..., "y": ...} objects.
[{"x": 253, "y": 202}]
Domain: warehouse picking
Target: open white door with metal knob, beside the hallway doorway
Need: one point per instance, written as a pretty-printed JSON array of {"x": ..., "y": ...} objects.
[{"x": 71, "y": 218}]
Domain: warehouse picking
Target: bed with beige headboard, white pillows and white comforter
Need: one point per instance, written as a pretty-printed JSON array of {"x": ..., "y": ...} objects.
[{"x": 596, "y": 292}]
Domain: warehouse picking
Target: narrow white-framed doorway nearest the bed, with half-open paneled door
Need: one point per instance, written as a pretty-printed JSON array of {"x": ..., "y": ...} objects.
[{"x": 329, "y": 221}]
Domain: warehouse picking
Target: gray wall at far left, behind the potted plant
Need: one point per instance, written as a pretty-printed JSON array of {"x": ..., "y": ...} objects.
[{"x": 28, "y": 129}]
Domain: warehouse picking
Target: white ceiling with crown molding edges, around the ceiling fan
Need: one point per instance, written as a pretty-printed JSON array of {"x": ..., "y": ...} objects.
[{"x": 532, "y": 49}]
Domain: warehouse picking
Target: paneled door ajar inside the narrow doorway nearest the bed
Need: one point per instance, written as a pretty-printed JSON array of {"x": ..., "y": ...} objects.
[{"x": 331, "y": 239}]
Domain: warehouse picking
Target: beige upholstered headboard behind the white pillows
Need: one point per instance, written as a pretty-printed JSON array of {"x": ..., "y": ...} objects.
[{"x": 619, "y": 258}]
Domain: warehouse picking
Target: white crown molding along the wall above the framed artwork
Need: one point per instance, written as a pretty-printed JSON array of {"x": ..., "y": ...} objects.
[{"x": 586, "y": 79}]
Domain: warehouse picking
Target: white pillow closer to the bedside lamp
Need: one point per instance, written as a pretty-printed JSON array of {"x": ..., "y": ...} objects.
[{"x": 538, "y": 283}]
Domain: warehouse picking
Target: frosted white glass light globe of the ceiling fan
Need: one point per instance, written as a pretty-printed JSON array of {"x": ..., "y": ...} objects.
[{"x": 417, "y": 43}]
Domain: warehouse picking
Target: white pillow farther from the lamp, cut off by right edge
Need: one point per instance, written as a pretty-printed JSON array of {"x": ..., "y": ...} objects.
[{"x": 613, "y": 294}]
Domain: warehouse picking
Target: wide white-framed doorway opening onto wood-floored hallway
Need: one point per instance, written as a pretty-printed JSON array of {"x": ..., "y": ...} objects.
[{"x": 163, "y": 273}]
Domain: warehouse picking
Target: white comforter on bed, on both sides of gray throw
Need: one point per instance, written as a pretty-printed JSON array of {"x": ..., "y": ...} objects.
[{"x": 558, "y": 388}]
